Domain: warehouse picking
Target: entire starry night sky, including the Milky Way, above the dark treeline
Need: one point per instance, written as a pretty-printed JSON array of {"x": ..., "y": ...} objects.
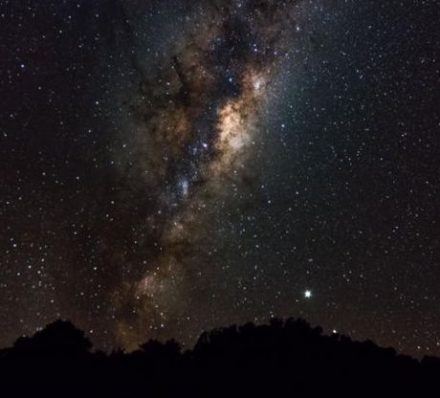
[{"x": 172, "y": 166}]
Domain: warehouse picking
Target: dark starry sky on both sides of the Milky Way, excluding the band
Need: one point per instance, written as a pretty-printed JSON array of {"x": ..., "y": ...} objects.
[{"x": 345, "y": 180}]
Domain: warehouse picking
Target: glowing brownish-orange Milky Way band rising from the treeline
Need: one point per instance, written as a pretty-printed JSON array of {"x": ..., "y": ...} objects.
[{"x": 200, "y": 120}]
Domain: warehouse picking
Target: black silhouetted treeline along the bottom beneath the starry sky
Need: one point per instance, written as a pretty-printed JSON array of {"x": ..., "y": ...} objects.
[{"x": 283, "y": 359}]
